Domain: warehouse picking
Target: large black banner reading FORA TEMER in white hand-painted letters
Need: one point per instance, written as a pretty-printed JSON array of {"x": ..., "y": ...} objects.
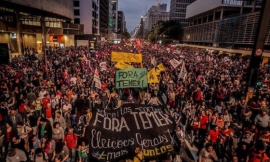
[{"x": 116, "y": 133}]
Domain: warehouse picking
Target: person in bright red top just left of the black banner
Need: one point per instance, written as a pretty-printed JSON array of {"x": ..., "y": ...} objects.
[{"x": 71, "y": 143}]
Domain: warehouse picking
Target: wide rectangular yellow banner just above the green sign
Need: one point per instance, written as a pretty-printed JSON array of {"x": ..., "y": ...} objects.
[{"x": 126, "y": 57}]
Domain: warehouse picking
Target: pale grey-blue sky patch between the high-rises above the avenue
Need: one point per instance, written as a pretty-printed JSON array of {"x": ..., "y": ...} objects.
[{"x": 134, "y": 9}]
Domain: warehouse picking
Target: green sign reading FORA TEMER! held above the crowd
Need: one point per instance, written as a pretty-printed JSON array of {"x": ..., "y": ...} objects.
[{"x": 131, "y": 78}]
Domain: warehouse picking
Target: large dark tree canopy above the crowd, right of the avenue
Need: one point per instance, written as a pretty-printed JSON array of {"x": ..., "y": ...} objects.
[{"x": 165, "y": 30}]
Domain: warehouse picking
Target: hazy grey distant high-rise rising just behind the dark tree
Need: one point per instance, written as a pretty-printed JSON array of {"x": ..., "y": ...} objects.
[{"x": 154, "y": 15}]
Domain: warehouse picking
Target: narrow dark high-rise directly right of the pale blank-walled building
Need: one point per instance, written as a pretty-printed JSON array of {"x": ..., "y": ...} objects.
[{"x": 105, "y": 19}]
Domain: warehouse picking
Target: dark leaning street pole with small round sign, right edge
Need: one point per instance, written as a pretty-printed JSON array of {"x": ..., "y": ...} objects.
[{"x": 259, "y": 40}]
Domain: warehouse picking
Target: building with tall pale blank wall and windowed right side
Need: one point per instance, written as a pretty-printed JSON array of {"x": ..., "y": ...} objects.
[{"x": 86, "y": 12}]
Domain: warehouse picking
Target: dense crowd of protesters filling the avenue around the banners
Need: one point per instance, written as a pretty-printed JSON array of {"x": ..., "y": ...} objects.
[{"x": 46, "y": 103}]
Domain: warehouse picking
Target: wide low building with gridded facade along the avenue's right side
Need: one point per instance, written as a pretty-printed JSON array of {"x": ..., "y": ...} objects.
[{"x": 223, "y": 23}]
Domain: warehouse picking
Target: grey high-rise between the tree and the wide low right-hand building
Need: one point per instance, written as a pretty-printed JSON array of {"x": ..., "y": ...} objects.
[{"x": 178, "y": 10}]
